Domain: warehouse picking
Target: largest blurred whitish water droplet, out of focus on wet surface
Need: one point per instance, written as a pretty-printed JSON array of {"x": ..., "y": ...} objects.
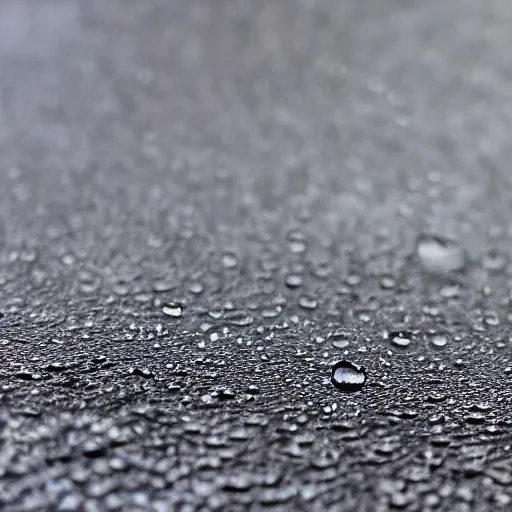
[{"x": 439, "y": 254}]
